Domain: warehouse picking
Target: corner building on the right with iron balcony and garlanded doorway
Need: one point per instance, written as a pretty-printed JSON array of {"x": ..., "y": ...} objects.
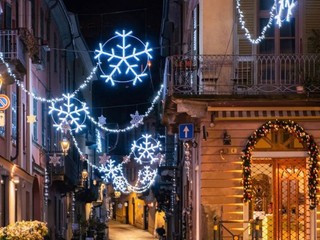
[{"x": 244, "y": 77}]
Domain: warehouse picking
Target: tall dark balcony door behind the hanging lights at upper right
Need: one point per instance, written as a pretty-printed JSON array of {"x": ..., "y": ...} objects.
[{"x": 273, "y": 70}]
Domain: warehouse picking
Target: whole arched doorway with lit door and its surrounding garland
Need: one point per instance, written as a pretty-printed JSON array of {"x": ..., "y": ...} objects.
[{"x": 279, "y": 179}]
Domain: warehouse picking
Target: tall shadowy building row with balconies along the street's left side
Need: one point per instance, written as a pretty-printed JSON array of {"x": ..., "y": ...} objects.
[{"x": 43, "y": 57}]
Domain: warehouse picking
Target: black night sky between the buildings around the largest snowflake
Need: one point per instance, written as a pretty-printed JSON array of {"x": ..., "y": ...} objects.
[{"x": 98, "y": 22}]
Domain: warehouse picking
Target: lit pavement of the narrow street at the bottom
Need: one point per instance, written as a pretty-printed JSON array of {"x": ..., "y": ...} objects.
[{"x": 119, "y": 231}]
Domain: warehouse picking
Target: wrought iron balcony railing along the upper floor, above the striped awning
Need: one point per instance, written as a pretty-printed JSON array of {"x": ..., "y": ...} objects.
[{"x": 251, "y": 74}]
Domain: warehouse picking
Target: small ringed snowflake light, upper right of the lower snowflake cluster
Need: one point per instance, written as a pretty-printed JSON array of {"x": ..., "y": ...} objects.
[{"x": 146, "y": 149}]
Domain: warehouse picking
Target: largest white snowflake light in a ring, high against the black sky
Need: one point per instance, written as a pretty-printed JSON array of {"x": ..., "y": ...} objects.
[{"x": 123, "y": 57}]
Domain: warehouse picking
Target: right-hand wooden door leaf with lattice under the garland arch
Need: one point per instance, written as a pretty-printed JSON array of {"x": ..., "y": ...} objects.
[{"x": 292, "y": 216}]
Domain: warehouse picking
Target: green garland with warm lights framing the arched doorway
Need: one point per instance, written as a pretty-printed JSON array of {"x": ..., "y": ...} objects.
[{"x": 299, "y": 132}]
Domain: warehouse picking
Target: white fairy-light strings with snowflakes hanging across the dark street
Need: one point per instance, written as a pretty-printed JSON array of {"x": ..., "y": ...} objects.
[{"x": 69, "y": 114}]
